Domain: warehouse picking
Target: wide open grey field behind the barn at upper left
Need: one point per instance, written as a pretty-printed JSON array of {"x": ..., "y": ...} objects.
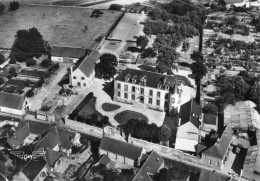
[{"x": 60, "y": 26}]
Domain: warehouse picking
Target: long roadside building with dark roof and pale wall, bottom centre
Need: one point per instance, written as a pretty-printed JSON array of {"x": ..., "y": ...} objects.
[{"x": 120, "y": 151}]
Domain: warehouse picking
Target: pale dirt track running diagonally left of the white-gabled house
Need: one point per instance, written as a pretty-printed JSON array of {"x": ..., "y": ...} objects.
[{"x": 50, "y": 90}]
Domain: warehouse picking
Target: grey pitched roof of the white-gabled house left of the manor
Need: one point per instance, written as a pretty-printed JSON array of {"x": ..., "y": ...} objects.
[{"x": 88, "y": 64}]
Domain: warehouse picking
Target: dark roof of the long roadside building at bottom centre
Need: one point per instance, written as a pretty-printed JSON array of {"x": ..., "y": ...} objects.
[{"x": 120, "y": 148}]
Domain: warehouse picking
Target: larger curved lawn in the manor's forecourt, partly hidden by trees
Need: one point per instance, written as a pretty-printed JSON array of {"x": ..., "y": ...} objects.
[{"x": 124, "y": 116}]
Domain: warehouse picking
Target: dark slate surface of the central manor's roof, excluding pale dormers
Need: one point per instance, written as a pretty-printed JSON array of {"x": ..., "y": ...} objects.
[{"x": 153, "y": 78}]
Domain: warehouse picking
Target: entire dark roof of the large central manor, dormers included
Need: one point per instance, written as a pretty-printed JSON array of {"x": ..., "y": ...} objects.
[{"x": 149, "y": 79}]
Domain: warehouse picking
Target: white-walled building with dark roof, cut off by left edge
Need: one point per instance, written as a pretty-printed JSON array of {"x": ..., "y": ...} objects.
[{"x": 13, "y": 104}]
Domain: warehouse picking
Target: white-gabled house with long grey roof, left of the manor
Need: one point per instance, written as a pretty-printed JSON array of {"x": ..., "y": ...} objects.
[{"x": 84, "y": 74}]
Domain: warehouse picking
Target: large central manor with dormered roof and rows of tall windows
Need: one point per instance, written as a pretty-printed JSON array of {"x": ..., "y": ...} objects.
[{"x": 154, "y": 90}]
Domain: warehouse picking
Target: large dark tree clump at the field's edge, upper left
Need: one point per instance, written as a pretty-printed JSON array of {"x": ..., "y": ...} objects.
[{"x": 28, "y": 44}]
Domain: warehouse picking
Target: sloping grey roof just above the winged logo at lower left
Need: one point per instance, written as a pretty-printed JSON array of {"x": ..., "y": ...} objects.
[{"x": 19, "y": 136}]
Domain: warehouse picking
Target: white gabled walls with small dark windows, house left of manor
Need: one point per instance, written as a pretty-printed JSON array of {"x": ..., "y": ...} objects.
[{"x": 79, "y": 79}]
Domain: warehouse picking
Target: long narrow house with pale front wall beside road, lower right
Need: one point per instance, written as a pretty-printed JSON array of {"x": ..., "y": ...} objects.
[{"x": 216, "y": 155}]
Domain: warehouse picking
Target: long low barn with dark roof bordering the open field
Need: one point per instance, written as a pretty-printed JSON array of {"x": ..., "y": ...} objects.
[{"x": 67, "y": 54}]
